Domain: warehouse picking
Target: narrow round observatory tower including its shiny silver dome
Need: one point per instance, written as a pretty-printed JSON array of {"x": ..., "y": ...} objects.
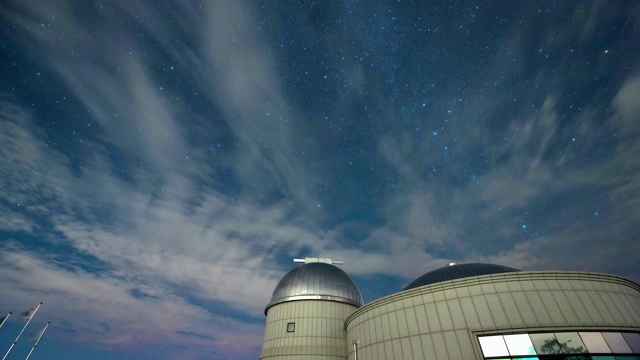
[{"x": 307, "y": 312}]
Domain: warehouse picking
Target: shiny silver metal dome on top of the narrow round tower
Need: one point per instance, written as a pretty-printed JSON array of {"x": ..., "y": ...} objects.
[{"x": 316, "y": 281}]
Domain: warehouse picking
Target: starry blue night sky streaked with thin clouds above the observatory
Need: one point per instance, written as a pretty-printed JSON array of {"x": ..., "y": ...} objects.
[{"x": 162, "y": 163}]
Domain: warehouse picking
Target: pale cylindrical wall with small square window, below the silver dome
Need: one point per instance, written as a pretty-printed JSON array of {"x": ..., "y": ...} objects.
[{"x": 319, "y": 331}]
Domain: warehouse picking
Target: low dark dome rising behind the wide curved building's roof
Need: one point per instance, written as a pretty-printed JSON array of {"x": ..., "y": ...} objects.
[{"x": 455, "y": 271}]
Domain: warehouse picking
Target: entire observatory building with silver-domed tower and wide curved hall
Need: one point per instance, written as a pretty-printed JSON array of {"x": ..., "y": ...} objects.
[{"x": 460, "y": 311}]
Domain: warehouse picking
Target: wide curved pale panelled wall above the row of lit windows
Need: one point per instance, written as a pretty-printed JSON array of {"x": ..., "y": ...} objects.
[{"x": 441, "y": 321}]
